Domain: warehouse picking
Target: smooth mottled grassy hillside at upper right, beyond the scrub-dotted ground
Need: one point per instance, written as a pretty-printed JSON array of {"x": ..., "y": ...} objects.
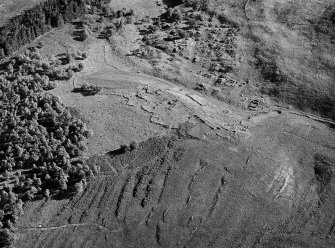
[{"x": 292, "y": 45}]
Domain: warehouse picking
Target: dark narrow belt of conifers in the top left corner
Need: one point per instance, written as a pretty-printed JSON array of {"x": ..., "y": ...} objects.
[{"x": 24, "y": 28}]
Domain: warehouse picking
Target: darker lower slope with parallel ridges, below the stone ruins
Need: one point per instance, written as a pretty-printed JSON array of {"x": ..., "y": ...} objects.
[{"x": 194, "y": 189}]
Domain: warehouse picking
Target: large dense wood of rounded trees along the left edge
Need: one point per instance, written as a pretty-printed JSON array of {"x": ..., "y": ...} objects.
[{"x": 42, "y": 144}]
